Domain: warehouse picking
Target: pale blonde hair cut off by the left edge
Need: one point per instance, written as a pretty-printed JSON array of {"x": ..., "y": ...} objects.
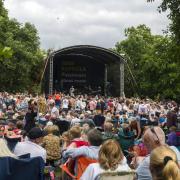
[{"x": 4, "y": 150}]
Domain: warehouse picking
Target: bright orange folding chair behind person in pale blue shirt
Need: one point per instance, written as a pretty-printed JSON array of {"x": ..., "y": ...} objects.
[{"x": 81, "y": 162}]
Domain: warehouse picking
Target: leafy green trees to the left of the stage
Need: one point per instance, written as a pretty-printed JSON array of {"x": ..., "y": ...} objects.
[{"x": 23, "y": 62}]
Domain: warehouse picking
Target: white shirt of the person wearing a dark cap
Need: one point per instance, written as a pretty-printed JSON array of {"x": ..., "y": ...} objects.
[{"x": 29, "y": 147}]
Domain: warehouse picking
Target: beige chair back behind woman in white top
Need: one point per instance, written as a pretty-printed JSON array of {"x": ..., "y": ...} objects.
[{"x": 124, "y": 175}]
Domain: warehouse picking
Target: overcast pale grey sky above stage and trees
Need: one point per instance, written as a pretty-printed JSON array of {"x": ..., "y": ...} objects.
[{"x": 63, "y": 23}]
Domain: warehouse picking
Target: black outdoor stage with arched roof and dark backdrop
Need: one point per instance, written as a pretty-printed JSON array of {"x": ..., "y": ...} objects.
[{"x": 89, "y": 69}]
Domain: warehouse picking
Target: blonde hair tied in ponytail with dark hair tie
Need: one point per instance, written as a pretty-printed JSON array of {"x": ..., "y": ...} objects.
[{"x": 163, "y": 164}]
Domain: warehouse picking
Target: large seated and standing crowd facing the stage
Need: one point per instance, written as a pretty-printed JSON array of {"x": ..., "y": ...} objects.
[{"x": 117, "y": 134}]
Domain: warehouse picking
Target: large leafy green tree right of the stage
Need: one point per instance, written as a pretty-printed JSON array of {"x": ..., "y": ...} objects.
[{"x": 152, "y": 61}]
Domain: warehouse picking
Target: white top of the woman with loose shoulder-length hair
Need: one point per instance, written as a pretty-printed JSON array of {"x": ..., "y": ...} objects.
[{"x": 94, "y": 169}]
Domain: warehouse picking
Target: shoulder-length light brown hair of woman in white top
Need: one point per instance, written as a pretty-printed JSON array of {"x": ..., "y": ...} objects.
[{"x": 110, "y": 155}]
